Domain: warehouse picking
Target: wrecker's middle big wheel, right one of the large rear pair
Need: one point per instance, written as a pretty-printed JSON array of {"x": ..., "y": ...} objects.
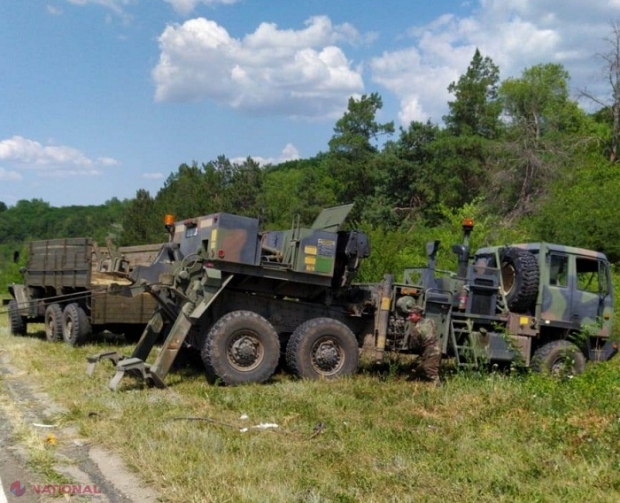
[{"x": 322, "y": 347}]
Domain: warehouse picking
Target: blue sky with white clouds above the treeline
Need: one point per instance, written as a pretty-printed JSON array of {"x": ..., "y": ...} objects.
[{"x": 102, "y": 98}]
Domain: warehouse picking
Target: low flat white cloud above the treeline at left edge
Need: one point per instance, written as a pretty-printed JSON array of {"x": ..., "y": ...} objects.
[{"x": 50, "y": 160}]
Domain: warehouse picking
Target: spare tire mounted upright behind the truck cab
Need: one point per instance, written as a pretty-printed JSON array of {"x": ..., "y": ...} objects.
[{"x": 520, "y": 277}]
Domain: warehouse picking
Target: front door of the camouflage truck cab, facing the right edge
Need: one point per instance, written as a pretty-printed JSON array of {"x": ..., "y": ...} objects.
[{"x": 592, "y": 299}]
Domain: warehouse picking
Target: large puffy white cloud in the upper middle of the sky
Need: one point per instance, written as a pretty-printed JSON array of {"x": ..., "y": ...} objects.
[{"x": 278, "y": 72}]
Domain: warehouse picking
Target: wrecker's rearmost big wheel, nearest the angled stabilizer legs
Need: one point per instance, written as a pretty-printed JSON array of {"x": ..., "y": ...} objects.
[{"x": 242, "y": 347}]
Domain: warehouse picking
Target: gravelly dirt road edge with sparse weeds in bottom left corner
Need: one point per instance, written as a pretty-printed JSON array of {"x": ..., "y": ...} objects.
[{"x": 57, "y": 454}]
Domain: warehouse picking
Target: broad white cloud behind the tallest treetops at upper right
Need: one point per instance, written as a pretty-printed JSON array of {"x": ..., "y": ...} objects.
[{"x": 515, "y": 34}]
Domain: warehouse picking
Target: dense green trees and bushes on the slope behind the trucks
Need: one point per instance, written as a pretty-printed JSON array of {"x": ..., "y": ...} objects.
[{"x": 519, "y": 155}]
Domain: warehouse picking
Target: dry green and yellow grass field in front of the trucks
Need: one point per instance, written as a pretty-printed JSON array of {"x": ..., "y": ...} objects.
[{"x": 384, "y": 438}]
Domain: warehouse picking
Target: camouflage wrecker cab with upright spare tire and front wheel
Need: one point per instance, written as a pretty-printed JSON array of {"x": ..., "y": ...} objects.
[{"x": 551, "y": 299}]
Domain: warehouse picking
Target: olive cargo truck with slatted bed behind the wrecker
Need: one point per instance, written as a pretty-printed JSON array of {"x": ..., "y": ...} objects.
[{"x": 66, "y": 287}]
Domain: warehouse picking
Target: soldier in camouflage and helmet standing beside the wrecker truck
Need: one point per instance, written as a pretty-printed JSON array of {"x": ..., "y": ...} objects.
[{"x": 423, "y": 336}]
